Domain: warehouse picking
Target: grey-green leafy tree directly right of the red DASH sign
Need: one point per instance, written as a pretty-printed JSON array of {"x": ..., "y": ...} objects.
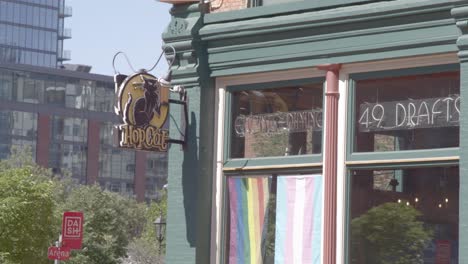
[{"x": 111, "y": 222}]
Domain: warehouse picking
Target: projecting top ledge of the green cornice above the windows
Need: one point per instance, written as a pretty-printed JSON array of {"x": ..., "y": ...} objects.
[{"x": 316, "y": 19}]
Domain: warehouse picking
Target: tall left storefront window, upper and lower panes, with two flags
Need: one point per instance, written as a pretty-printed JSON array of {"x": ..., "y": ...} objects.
[{"x": 273, "y": 203}]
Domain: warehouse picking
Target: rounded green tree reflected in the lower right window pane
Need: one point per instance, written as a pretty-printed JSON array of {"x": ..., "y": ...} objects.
[{"x": 389, "y": 234}]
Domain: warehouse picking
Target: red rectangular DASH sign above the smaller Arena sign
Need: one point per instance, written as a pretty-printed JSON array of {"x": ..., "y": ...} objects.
[{"x": 72, "y": 229}]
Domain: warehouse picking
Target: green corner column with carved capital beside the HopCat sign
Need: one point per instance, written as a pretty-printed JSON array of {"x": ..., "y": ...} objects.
[{"x": 190, "y": 170}]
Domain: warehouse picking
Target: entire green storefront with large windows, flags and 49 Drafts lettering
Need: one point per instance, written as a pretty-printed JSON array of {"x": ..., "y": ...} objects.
[{"x": 383, "y": 80}]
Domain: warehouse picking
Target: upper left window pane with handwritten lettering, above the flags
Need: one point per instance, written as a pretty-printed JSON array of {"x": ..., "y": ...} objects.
[{"x": 277, "y": 122}]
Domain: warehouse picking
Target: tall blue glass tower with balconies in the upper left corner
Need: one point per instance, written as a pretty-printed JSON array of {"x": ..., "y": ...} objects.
[{"x": 32, "y": 32}]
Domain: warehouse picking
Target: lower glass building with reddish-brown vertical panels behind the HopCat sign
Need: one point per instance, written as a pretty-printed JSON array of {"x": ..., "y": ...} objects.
[{"x": 66, "y": 118}]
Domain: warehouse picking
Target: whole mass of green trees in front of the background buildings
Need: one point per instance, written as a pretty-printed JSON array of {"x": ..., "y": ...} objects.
[{"x": 32, "y": 202}]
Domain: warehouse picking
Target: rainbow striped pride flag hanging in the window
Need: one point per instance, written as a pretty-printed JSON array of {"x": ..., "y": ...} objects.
[{"x": 248, "y": 202}]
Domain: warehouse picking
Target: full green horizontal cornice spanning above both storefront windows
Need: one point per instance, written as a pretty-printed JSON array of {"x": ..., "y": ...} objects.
[{"x": 365, "y": 32}]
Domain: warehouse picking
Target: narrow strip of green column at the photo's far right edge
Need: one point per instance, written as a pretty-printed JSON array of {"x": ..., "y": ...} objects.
[{"x": 461, "y": 15}]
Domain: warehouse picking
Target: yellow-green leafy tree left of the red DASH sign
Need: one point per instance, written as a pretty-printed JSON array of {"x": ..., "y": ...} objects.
[{"x": 26, "y": 215}]
